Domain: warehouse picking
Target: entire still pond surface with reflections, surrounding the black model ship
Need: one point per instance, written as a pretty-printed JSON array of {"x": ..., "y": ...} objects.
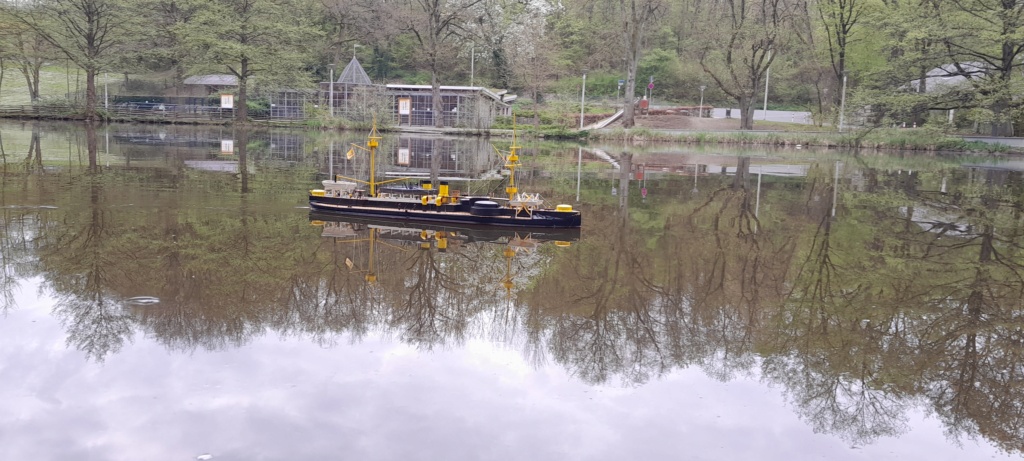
[{"x": 166, "y": 295}]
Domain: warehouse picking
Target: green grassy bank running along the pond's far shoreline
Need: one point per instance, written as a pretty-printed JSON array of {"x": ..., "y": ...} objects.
[{"x": 548, "y": 122}]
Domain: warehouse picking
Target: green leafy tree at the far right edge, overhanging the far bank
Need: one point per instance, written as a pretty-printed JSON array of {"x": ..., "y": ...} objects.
[{"x": 947, "y": 55}]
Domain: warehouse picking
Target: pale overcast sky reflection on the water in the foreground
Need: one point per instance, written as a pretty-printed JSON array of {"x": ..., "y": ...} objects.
[{"x": 376, "y": 400}]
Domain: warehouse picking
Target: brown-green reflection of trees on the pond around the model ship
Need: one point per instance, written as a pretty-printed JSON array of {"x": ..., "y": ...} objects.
[{"x": 909, "y": 291}]
